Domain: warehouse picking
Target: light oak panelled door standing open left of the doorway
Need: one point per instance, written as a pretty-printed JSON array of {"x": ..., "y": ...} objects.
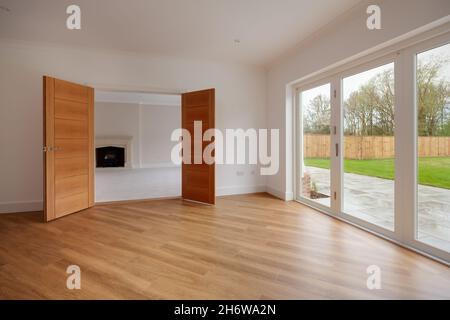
[{"x": 68, "y": 148}]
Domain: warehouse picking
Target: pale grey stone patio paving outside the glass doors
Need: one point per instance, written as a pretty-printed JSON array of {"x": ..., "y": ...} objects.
[{"x": 372, "y": 199}]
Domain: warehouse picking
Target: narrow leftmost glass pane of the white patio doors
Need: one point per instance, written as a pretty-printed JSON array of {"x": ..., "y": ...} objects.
[{"x": 315, "y": 173}]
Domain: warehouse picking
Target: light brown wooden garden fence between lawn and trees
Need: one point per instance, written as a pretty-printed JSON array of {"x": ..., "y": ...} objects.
[{"x": 373, "y": 147}]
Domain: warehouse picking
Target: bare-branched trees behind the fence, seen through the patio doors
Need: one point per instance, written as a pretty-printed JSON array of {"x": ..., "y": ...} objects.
[{"x": 370, "y": 109}]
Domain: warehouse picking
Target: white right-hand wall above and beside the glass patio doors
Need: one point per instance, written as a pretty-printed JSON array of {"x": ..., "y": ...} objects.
[{"x": 341, "y": 39}]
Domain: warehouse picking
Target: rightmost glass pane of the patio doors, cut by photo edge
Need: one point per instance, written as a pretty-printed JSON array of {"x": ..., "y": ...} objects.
[{"x": 433, "y": 121}]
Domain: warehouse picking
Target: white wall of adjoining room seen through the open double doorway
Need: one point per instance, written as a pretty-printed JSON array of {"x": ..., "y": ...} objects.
[{"x": 152, "y": 173}]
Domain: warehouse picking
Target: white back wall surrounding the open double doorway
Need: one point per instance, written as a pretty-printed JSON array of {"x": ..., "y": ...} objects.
[{"x": 240, "y": 90}]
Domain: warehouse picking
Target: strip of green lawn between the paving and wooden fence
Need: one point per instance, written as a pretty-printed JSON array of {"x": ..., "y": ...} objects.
[{"x": 432, "y": 171}]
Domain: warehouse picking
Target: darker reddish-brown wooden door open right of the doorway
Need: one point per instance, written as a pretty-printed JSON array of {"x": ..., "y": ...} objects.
[{"x": 198, "y": 180}]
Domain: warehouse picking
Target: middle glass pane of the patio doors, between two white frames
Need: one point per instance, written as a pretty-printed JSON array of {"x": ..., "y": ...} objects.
[{"x": 369, "y": 152}]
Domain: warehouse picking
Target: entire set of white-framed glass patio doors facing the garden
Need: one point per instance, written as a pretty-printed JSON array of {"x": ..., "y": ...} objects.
[{"x": 373, "y": 144}]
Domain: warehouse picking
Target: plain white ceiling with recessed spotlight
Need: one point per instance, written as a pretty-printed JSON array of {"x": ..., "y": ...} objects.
[{"x": 203, "y": 29}]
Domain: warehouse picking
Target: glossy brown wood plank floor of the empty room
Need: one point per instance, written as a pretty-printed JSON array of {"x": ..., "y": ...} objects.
[{"x": 246, "y": 247}]
